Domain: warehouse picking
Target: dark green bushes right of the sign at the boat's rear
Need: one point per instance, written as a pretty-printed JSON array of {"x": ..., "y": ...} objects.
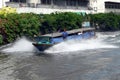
[{"x": 106, "y": 21}]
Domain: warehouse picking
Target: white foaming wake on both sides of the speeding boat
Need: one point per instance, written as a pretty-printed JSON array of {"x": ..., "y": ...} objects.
[{"x": 24, "y": 46}]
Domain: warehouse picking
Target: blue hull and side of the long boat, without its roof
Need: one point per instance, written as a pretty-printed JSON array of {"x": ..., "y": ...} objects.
[{"x": 54, "y": 40}]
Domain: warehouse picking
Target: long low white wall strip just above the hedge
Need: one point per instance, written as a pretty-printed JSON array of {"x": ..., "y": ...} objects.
[{"x": 48, "y": 10}]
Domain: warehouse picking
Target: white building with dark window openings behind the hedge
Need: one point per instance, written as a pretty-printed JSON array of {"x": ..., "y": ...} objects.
[{"x": 49, "y": 6}]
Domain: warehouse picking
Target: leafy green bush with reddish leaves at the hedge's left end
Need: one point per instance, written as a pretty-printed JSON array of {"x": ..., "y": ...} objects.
[{"x": 16, "y": 25}]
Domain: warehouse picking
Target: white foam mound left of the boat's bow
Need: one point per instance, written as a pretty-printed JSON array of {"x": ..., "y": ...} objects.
[{"x": 21, "y": 45}]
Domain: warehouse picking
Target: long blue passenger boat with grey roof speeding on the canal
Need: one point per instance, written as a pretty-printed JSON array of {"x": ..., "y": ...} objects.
[{"x": 44, "y": 42}]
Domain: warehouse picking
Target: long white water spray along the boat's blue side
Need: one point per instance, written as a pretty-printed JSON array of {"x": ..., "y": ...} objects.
[{"x": 76, "y": 45}]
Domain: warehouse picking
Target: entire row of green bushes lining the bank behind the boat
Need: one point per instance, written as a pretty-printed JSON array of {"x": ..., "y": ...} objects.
[{"x": 15, "y": 25}]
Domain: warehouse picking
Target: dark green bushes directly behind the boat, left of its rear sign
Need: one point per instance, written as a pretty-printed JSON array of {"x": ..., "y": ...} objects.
[{"x": 55, "y": 21}]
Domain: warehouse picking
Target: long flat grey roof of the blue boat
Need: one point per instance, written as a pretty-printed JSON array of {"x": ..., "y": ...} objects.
[{"x": 74, "y": 31}]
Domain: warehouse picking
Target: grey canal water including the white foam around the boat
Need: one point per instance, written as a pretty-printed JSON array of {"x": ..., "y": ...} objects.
[{"x": 93, "y": 59}]
